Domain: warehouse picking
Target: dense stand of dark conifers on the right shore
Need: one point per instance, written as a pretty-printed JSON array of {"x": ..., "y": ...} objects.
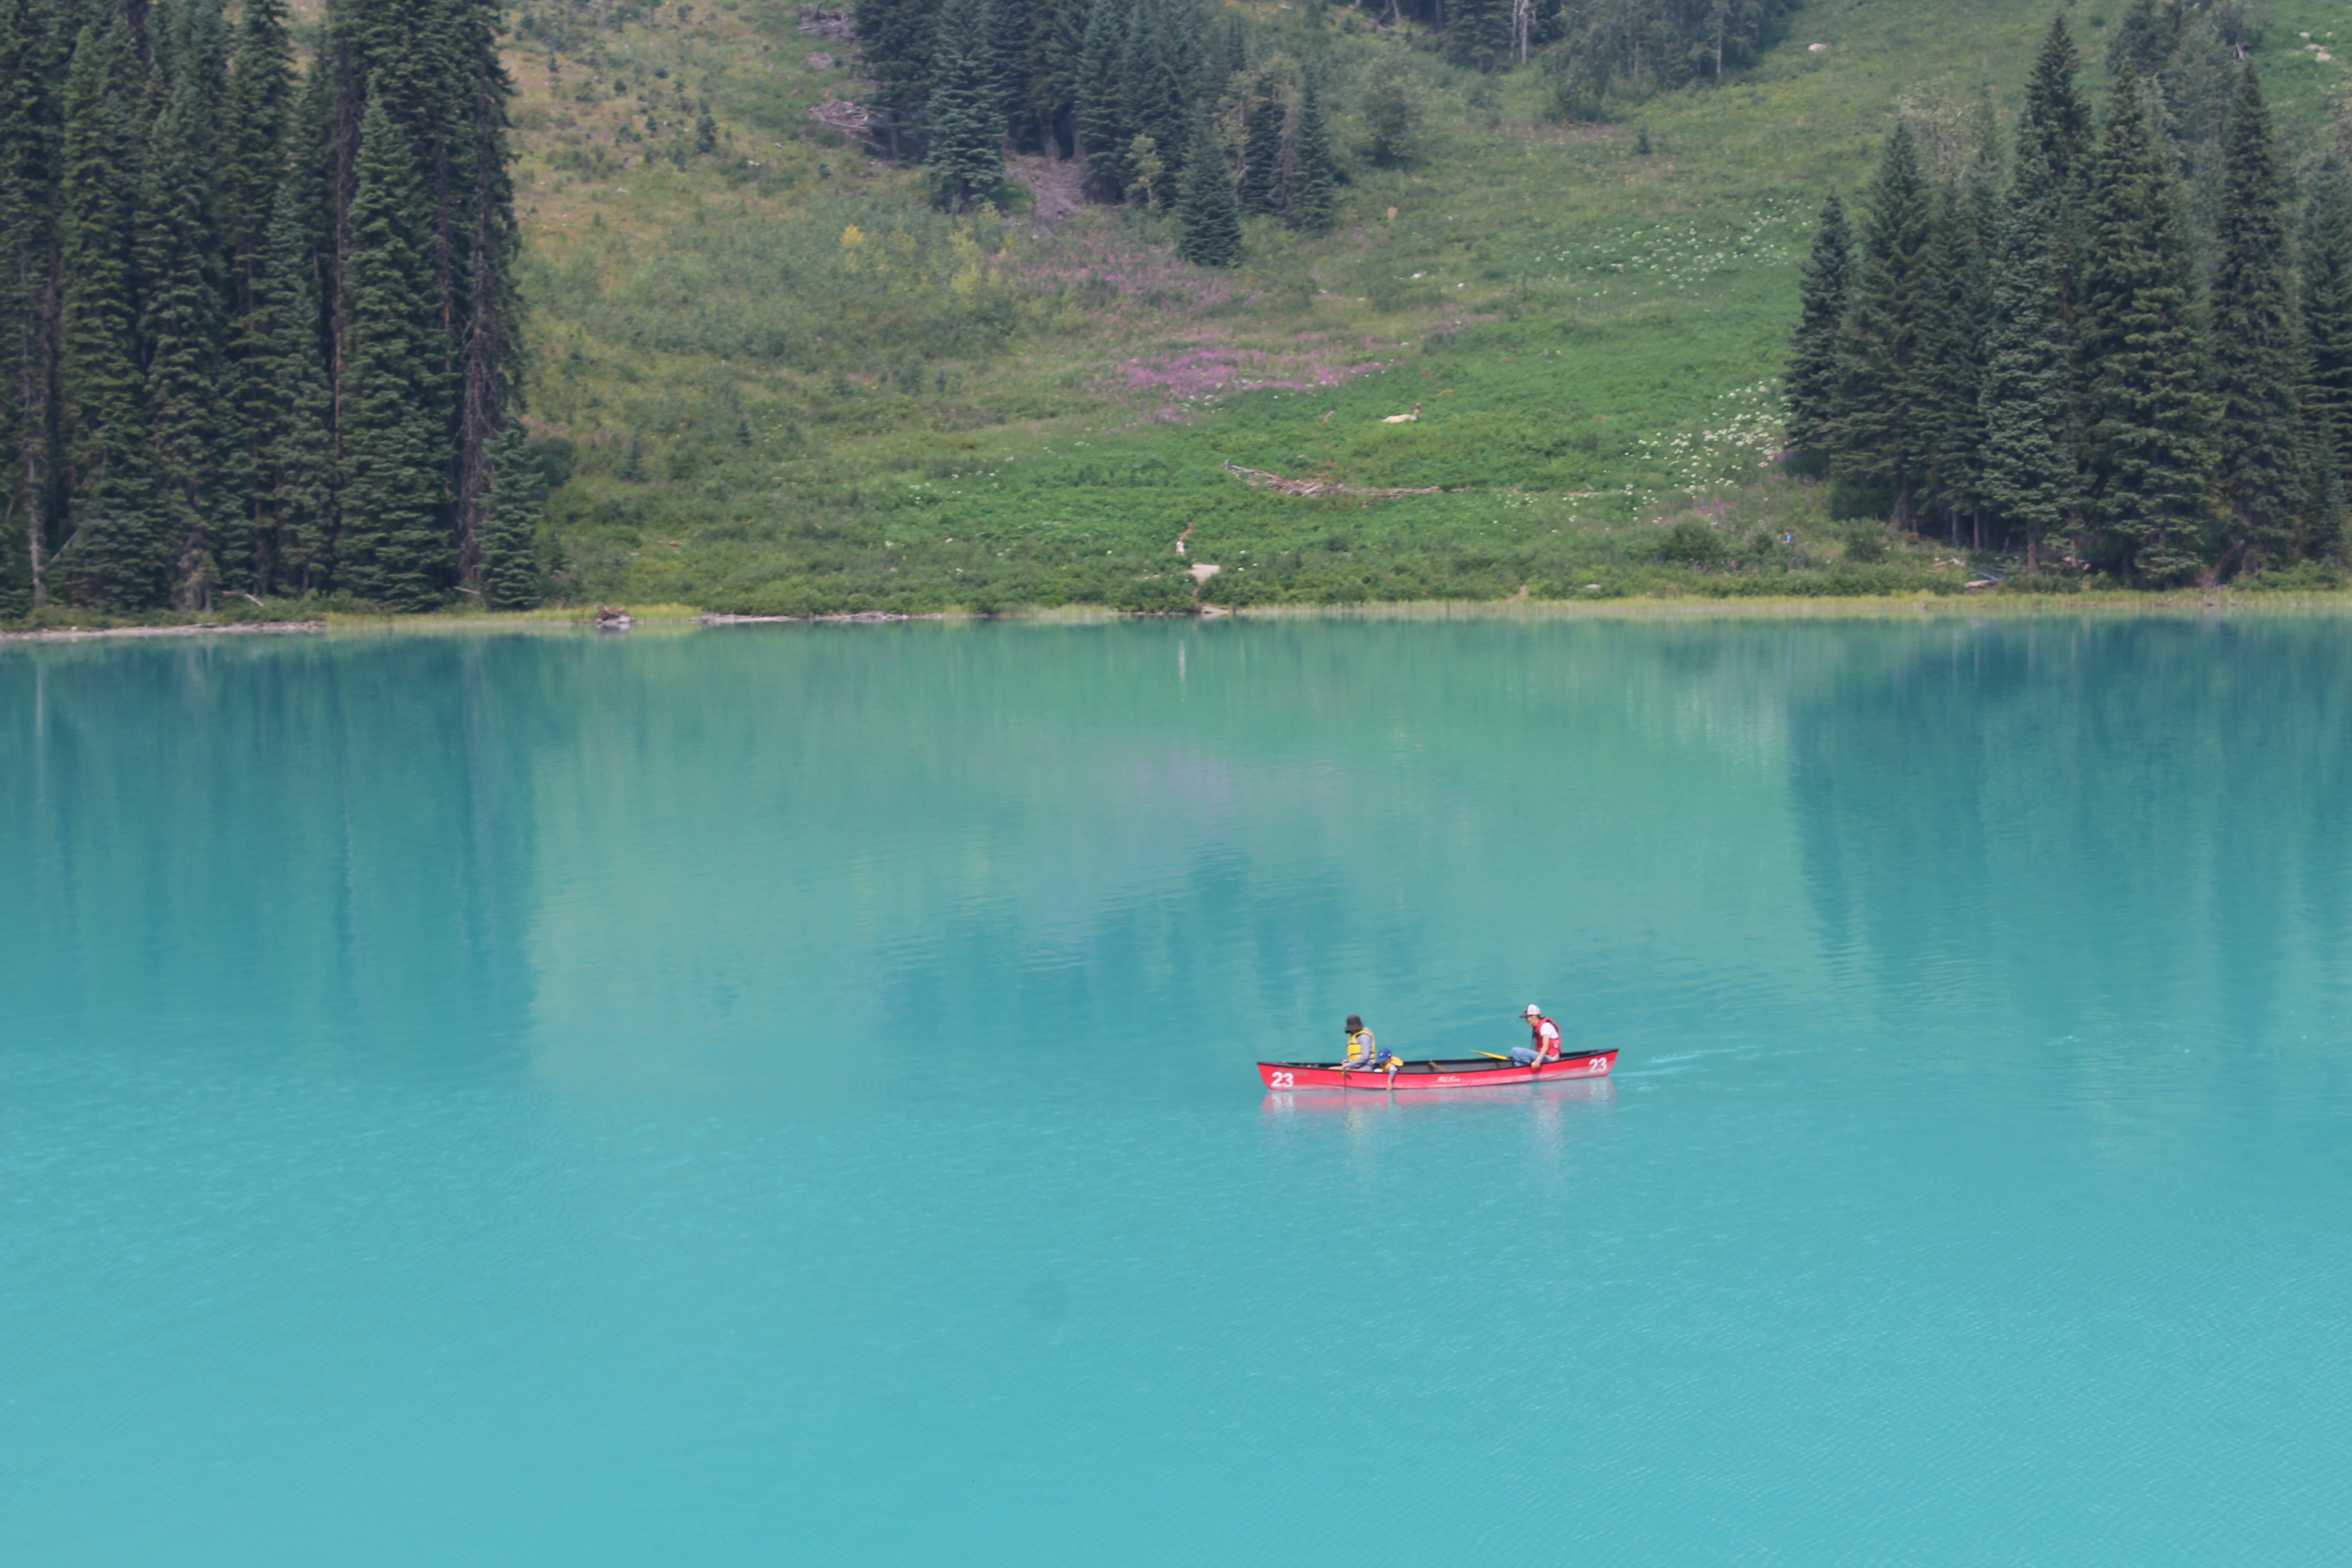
[{"x": 2116, "y": 340}]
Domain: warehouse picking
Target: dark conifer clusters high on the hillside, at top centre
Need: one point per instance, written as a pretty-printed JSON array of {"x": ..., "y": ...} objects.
[{"x": 1140, "y": 88}]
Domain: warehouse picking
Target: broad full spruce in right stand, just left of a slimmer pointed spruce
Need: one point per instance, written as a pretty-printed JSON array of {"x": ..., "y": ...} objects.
[{"x": 2149, "y": 413}]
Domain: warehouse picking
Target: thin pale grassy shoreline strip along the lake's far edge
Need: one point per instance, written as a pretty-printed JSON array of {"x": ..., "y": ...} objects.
[{"x": 1796, "y": 608}]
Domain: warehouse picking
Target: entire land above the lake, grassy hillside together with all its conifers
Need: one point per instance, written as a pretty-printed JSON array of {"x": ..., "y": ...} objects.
[{"x": 1154, "y": 304}]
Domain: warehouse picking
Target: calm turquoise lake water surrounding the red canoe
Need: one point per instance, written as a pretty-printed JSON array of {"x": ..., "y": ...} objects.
[{"x": 784, "y": 1097}]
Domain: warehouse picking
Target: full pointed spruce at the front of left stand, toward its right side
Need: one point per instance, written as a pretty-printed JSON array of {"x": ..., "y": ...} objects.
[{"x": 394, "y": 549}]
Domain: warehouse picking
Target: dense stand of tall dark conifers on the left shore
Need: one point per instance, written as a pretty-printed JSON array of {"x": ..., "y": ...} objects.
[{"x": 262, "y": 330}]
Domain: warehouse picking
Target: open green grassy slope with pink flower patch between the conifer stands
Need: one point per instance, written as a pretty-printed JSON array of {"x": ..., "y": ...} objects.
[{"x": 780, "y": 382}]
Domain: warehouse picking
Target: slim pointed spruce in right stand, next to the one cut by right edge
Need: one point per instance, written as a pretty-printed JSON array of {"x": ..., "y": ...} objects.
[{"x": 2257, "y": 354}]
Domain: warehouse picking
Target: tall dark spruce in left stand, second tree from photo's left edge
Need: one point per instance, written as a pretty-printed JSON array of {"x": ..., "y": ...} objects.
[{"x": 114, "y": 554}]
